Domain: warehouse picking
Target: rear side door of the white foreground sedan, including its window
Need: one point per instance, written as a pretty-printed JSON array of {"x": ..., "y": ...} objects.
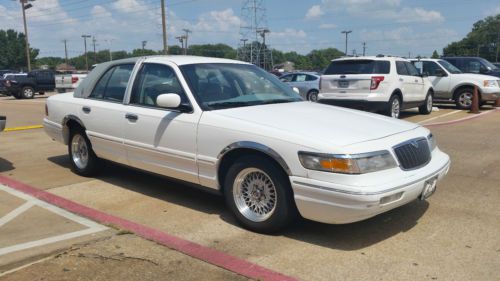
[{"x": 103, "y": 112}]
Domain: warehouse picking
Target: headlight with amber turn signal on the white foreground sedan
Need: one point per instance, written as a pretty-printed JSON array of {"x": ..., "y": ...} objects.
[{"x": 348, "y": 163}]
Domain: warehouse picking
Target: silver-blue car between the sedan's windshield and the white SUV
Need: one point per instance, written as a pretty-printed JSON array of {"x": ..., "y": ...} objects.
[{"x": 306, "y": 82}]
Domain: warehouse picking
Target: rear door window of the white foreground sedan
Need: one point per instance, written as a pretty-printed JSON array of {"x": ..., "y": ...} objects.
[{"x": 113, "y": 83}]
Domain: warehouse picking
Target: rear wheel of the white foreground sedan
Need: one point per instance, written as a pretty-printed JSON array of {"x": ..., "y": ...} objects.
[{"x": 83, "y": 159}]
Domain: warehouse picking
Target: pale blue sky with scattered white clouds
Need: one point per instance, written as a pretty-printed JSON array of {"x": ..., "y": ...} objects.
[{"x": 395, "y": 27}]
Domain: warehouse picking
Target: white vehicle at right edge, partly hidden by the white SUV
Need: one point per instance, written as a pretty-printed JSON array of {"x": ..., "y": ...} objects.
[{"x": 450, "y": 84}]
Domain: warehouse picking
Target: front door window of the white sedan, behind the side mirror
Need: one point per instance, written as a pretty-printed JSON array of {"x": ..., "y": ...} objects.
[{"x": 153, "y": 80}]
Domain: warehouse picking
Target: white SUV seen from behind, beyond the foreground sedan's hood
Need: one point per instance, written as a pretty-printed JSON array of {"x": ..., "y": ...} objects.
[{"x": 382, "y": 83}]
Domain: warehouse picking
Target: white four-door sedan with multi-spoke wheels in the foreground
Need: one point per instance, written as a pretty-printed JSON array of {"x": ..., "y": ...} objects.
[{"x": 230, "y": 126}]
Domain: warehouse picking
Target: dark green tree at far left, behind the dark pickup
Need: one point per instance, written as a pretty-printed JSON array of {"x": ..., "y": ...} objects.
[{"x": 13, "y": 50}]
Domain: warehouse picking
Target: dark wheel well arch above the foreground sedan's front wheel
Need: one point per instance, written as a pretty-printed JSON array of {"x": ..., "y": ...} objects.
[{"x": 233, "y": 155}]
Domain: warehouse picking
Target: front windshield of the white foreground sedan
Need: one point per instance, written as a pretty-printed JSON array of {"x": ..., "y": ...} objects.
[{"x": 227, "y": 85}]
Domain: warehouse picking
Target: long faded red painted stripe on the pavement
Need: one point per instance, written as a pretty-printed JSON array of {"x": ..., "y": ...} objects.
[{"x": 203, "y": 253}]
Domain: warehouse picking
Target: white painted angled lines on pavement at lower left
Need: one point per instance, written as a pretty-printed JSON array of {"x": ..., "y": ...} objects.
[{"x": 92, "y": 227}]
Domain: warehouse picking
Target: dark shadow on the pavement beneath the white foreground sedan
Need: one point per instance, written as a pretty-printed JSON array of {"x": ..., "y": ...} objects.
[{"x": 346, "y": 237}]
